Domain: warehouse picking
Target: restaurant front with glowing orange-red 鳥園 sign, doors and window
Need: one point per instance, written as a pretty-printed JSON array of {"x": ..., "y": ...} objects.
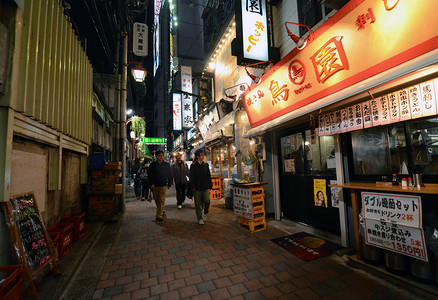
[{"x": 356, "y": 104}]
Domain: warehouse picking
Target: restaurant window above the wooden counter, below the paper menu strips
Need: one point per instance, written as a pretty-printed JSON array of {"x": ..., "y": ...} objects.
[{"x": 402, "y": 148}]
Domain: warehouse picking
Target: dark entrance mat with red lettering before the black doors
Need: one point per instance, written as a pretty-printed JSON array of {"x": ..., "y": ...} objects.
[{"x": 306, "y": 246}]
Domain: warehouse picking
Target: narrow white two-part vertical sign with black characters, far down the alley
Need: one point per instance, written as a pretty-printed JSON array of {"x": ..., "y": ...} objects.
[{"x": 187, "y": 104}]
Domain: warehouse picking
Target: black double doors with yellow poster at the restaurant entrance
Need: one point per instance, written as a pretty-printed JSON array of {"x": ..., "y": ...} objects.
[{"x": 307, "y": 167}]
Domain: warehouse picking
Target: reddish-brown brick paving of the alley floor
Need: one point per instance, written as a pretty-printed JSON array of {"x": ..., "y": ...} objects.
[{"x": 179, "y": 259}]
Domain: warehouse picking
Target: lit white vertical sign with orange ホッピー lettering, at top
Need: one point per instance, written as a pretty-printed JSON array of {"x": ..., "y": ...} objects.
[{"x": 255, "y": 30}]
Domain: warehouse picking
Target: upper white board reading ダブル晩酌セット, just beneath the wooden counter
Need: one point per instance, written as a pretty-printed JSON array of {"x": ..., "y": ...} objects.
[{"x": 397, "y": 209}]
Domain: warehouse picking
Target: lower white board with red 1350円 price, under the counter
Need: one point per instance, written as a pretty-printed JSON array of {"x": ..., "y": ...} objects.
[{"x": 397, "y": 238}]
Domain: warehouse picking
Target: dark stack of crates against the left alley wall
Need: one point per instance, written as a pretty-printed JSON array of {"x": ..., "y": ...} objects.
[{"x": 104, "y": 192}]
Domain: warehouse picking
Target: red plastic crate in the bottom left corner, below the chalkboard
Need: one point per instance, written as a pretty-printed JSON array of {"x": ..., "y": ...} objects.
[{"x": 10, "y": 288}]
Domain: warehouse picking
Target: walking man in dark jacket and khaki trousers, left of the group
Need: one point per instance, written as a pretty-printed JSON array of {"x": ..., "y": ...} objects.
[{"x": 160, "y": 176}]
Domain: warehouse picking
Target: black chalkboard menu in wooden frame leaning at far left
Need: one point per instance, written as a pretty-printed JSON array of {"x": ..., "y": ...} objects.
[{"x": 30, "y": 240}]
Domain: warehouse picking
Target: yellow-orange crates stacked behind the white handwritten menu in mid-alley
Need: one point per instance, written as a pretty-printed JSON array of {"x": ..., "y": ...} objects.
[{"x": 255, "y": 220}]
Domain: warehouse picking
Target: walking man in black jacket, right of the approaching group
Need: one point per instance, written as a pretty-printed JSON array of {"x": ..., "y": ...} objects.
[{"x": 200, "y": 181}]
